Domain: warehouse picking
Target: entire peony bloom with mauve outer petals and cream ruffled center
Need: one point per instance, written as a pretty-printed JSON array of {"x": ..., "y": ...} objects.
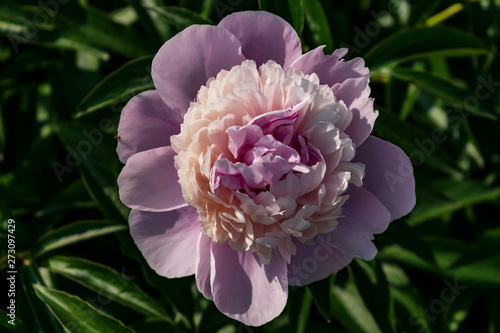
[{"x": 252, "y": 166}]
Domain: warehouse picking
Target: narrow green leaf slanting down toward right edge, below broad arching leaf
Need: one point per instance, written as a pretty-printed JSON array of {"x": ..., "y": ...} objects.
[{"x": 442, "y": 88}]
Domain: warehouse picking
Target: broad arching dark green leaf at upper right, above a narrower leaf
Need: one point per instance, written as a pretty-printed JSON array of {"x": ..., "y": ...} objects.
[{"x": 422, "y": 43}]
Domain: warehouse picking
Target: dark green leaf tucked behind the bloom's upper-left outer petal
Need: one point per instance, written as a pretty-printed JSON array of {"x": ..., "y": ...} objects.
[{"x": 118, "y": 87}]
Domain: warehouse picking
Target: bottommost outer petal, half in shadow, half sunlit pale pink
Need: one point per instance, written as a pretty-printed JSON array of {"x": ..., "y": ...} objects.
[{"x": 246, "y": 290}]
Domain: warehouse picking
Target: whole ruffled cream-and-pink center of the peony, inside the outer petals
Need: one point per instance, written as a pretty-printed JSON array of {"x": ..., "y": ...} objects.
[{"x": 263, "y": 157}]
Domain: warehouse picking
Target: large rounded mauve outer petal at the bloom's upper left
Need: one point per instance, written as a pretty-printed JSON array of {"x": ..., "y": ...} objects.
[{"x": 186, "y": 61}]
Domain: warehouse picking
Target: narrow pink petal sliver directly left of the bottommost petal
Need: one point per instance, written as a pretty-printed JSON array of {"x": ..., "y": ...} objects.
[{"x": 203, "y": 250}]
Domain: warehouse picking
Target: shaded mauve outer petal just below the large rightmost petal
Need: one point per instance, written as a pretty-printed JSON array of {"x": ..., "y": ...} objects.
[{"x": 363, "y": 216}]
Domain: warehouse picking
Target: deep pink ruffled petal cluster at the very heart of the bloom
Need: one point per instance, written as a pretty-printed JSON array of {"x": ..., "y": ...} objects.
[{"x": 263, "y": 152}]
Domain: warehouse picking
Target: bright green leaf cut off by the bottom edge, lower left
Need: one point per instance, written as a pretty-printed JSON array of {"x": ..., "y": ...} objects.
[{"x": 77, "y": 315}]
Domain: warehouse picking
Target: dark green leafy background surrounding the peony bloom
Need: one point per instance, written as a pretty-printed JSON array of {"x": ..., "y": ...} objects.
[{"x": 68, "y": 67}]
